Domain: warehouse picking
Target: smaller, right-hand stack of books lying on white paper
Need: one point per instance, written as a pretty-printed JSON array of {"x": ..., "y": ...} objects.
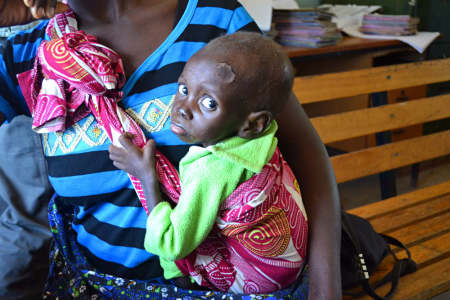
[{"x": 389, "y": 24}]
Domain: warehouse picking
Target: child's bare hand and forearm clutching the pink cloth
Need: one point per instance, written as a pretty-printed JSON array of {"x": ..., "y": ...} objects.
[{"x": 141, "y": 164}]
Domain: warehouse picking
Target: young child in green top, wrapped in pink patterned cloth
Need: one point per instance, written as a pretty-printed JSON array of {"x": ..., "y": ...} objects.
[{"x": 239, "y": 224}]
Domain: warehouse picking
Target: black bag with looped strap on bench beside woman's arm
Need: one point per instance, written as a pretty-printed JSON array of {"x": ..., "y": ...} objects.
[{"x": 401, "y": 267}]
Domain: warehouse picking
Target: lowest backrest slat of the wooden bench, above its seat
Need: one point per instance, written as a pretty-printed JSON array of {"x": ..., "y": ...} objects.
[{"x": 378, "y": 159}]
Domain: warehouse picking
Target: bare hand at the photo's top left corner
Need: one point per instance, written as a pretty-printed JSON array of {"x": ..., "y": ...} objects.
[{"x": 15, "y": 12}]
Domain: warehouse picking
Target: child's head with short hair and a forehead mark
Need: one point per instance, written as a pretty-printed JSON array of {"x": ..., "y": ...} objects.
[{"x": 235, "y": 85}]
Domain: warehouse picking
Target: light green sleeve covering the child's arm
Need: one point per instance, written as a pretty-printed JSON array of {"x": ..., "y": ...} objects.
[{"x": 206, "y": 181}]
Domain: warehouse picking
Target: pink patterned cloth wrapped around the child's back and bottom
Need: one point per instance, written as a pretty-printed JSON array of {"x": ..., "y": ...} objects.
[{"x": 259, "y": 241}]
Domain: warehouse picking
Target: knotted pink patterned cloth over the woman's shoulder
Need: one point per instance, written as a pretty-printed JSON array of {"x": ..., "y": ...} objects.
[{"x": 75, "y": 76}]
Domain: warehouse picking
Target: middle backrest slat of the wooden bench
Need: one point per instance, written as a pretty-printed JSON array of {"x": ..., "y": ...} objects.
[{"x": 341, "y": 126}]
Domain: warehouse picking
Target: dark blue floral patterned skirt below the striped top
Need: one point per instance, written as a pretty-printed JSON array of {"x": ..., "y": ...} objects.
[{"x": 72, "y": 277}]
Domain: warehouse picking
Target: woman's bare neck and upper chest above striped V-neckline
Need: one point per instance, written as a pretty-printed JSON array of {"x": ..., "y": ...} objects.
[{"x": 133, "y": 28}]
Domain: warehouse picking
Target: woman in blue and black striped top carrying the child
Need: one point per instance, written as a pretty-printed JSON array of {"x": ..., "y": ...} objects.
[{"x": 97, "y": 216}]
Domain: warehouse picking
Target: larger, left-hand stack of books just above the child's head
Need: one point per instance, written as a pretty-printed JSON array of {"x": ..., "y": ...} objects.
[{"x": 310, "y": 28}]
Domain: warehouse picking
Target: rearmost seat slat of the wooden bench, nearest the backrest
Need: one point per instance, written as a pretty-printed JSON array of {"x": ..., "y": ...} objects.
[{"x": 383, "y": 207}]
